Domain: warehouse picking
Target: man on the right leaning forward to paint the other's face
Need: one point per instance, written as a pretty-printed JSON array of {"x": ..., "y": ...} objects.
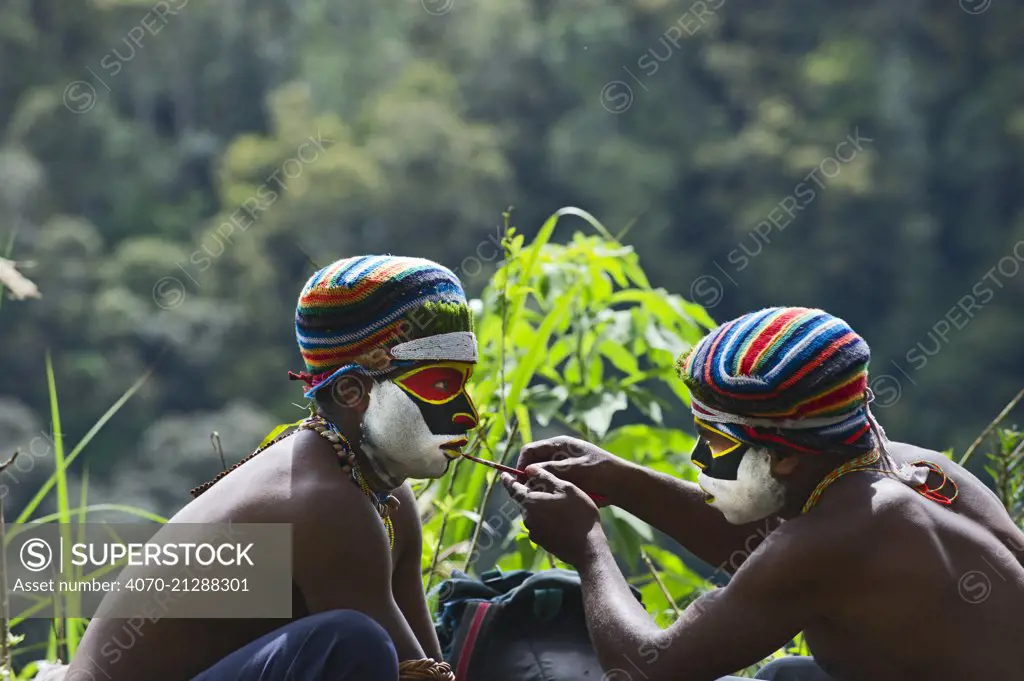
[{"x": 895, "y": 563}]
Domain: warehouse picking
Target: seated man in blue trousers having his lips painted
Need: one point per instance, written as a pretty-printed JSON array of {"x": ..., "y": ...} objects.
[{"x": 389, "y": 348}]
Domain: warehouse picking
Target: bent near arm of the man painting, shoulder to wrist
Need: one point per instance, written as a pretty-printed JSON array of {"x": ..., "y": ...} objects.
[{"x": 767, "y": 604}]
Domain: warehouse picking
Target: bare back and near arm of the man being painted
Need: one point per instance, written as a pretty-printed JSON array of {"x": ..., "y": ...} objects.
[{"x": 298, "y": 482}]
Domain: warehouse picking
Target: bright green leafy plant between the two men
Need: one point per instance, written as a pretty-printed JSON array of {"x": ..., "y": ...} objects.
[{"x": 572, "y": 336}]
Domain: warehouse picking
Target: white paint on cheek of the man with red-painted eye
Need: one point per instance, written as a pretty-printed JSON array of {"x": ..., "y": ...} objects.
[{"x": 397, "y": 440}]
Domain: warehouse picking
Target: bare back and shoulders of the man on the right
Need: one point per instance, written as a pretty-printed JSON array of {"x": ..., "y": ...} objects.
[{"x": 929, "y": 591}]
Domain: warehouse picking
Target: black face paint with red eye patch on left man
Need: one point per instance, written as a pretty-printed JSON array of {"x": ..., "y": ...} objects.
[{"x": 440, "y": 393}]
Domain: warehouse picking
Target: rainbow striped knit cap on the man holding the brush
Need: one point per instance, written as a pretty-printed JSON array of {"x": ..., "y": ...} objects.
[{"x": 784, "y": 376}]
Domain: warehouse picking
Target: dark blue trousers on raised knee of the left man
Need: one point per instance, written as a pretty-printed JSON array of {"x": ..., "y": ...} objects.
[{"x": 338, "y": 646}]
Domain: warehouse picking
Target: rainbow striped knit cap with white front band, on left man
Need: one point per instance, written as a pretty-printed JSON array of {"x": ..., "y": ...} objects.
[{"x": 373, "y": 314}]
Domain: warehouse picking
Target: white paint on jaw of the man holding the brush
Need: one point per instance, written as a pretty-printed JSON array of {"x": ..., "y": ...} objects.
[{"x": 753, "y": 496}]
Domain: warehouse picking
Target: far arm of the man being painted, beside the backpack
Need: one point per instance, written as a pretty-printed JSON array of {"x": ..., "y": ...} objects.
[{"x": 407, "y": 582}]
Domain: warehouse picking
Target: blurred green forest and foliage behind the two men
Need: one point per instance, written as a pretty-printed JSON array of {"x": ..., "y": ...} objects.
[{"x": 173, "y": 173}]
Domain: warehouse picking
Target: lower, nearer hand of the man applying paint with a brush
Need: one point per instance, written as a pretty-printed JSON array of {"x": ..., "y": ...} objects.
[{"x": 560, "y": 517}]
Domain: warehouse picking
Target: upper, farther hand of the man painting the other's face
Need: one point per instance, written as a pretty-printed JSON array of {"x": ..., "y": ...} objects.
[{"x": 583, "y": 464}]
